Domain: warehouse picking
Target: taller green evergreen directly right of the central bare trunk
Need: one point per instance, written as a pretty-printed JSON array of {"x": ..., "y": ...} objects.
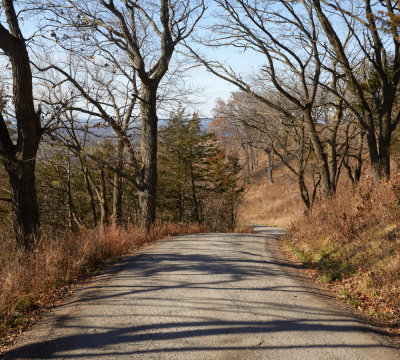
[{"x": 183, "y": 150}]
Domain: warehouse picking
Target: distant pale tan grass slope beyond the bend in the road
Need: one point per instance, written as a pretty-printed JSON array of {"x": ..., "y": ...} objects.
[{"x": 275, "y": 205}]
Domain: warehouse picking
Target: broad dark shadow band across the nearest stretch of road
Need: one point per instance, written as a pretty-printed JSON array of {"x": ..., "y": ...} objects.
[{"x": 111, "y": 338}]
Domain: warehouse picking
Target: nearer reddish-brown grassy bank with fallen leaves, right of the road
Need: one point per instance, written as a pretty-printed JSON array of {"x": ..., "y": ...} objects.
[{"x": 353, "y": 241}]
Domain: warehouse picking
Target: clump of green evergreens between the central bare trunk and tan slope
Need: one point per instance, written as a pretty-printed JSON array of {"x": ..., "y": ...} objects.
[{"x": 197, "y": 183}]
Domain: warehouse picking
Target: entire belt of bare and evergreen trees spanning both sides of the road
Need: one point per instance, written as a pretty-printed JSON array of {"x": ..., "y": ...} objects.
[{"x": 89, "y": 80}]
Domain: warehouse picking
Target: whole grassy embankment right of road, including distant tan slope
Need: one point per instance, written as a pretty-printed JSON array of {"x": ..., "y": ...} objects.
[{"x": 350, "y": 242}]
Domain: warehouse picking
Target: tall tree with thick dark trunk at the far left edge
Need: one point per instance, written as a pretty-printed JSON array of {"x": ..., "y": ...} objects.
[{"x": 19, "y": 154}]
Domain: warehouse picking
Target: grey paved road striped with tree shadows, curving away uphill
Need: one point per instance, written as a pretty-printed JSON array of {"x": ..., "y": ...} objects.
[{"x": 208, "y": 296}]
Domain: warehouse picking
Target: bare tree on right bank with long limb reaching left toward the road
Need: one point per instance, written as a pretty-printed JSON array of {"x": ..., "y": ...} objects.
[{"x": 287, "y": 35}]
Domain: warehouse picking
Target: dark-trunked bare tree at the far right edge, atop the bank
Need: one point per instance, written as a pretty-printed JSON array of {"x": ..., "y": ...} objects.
[{"x": 371, "y": 64}]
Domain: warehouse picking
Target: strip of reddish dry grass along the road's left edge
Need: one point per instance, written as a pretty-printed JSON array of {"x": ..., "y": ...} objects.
[{"x": 35, "y": 280}]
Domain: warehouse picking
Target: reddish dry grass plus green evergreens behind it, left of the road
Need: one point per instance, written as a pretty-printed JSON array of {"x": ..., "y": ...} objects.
[{"x": 88, "y": 222}]
